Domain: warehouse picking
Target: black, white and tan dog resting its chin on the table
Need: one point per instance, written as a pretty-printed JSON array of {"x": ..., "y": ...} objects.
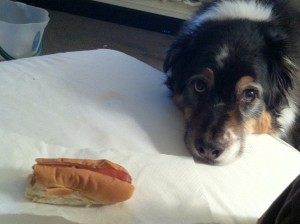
[{"x": 233, "y": 69}]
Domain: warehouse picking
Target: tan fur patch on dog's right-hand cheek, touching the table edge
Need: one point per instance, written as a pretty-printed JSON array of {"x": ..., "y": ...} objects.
[{"x": 263, "y": 125}]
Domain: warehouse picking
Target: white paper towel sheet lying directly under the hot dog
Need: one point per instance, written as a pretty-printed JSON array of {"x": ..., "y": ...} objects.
[{"x": 167, "y": 187}]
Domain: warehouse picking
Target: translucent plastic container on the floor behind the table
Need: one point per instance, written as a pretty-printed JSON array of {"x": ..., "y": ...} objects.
[{"x": 21, "y": 29}]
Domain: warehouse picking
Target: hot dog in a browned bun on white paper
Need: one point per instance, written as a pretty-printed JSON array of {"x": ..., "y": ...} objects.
[{"x": 79, "y": 182}]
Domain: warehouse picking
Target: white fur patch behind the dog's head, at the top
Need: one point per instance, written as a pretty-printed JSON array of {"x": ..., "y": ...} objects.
[{"x": 239, "y": 9}]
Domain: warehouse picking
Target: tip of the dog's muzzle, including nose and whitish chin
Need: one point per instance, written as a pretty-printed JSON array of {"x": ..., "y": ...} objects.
[{"x": 221, "y": 150}]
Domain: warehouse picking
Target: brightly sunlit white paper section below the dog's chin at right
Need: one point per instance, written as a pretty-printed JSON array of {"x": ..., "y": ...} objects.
[{"x": 268, "y": 165}]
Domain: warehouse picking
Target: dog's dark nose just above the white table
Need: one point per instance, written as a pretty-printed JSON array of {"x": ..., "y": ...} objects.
[{"x": 207, "y": 150}]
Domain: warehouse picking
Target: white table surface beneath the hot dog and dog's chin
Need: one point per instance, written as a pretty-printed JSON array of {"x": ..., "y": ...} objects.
[{"x": 106, "y": 101}]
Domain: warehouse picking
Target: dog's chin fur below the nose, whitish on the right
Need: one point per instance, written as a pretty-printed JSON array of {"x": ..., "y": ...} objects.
[{"x": 230, "y": 154}]
